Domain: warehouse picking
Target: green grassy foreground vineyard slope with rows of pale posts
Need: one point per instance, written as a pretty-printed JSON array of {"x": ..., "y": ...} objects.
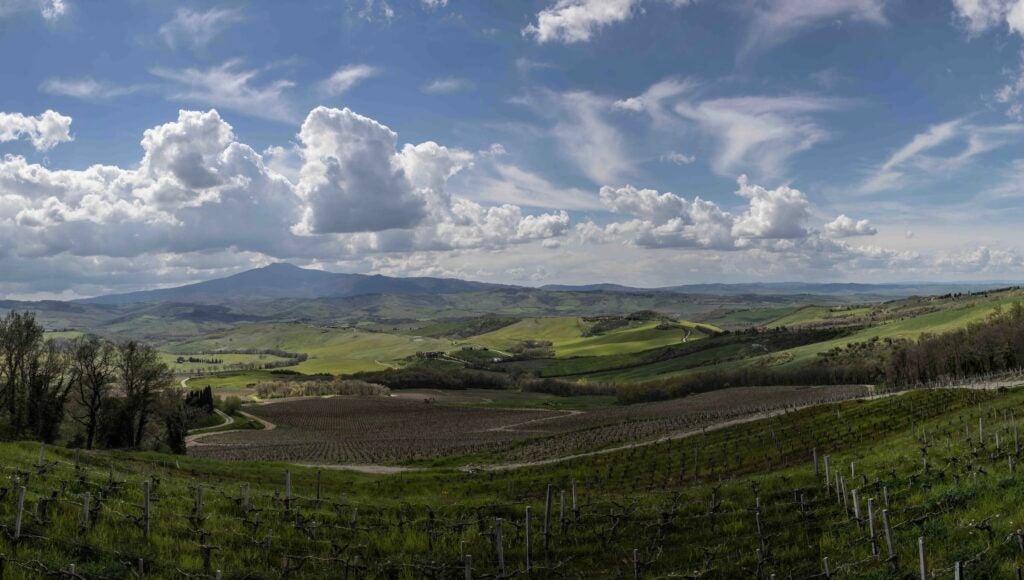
[{"x": 912, "y": 485}]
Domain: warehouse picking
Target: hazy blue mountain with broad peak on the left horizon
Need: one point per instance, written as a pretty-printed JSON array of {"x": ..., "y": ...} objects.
[{"x": 287, "y": 281}]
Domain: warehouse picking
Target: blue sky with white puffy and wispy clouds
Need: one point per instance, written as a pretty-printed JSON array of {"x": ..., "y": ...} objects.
[{"x": 648, "y": 143}]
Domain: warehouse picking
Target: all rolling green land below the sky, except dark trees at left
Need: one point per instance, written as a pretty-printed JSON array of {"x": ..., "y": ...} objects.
[{"x": 513, "y": 432}]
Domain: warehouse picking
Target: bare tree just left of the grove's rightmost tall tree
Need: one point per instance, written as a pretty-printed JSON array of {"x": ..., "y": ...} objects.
[{"x": 94, "y": 372}]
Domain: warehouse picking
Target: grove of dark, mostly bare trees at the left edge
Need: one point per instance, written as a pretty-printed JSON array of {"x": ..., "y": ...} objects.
[{"x": 89, "y": 392}]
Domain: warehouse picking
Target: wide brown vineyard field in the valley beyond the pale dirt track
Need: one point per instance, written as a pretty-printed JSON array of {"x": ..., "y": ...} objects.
[{"x": 389, "y": 431}]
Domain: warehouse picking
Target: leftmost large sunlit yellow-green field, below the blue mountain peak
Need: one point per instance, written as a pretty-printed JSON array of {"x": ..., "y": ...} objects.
[{"x": 334, "y": 351}]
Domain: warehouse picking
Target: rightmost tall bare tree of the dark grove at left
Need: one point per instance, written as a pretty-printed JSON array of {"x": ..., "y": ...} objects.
[{"x": 142, "y": 376}]
